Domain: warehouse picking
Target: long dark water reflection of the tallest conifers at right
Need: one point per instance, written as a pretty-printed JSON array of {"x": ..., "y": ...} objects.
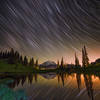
[{"x": 89, "y": 86}]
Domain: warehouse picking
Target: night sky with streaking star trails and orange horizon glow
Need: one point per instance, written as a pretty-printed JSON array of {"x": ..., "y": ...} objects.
[{"x": 50, "y": 29}]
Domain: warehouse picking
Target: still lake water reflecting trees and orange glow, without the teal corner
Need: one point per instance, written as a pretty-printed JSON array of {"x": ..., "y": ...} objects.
[{"x": 53, "y": 86}]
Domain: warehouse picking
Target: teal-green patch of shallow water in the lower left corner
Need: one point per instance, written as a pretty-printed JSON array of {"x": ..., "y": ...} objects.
[{"x": 7, "y": 92}]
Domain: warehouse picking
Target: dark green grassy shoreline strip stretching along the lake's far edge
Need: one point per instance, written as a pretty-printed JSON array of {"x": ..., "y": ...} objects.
[{"x": 19, "y": 68}]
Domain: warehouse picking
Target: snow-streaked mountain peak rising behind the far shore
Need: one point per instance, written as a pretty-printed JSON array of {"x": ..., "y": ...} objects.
[{"x": 48, "y": 65}]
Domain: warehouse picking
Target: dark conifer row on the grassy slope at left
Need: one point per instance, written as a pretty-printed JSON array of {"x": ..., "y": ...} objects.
[{"x": 14, "y": 57}]
